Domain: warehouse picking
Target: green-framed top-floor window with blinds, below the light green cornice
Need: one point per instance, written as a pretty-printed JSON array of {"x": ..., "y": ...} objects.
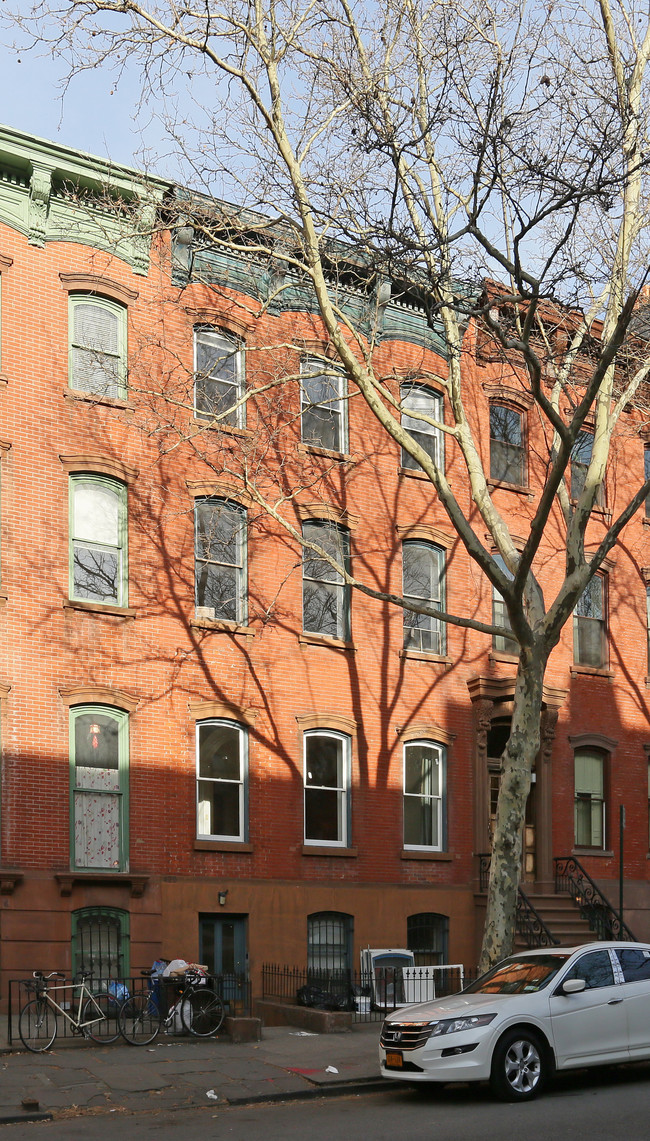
[{"x": 97, "y": 346}]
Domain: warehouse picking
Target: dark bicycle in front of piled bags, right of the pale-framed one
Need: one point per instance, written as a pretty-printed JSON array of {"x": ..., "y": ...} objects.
[{"x": 201, "y": 1011}]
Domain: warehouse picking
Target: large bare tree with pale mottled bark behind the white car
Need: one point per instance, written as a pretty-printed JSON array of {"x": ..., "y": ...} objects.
[{"x": 489, "y": 161}]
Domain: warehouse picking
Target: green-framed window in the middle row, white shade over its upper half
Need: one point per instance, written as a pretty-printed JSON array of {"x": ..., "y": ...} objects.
[{"x": 99, "y": 540}]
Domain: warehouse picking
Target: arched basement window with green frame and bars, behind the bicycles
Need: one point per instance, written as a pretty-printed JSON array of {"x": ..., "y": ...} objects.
[{"x": 101, "y": 943}]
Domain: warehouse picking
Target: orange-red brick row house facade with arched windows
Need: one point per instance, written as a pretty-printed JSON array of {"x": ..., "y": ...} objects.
[{"x": 205, "y": 740}]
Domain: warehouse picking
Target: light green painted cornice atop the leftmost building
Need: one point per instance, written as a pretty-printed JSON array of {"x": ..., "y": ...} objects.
[{"x": 52, "y": 193}]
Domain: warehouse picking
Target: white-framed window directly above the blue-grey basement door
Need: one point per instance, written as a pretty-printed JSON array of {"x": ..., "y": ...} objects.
[{"x": 222, "y": 781}]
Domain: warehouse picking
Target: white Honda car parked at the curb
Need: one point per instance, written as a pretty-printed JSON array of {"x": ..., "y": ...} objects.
[{"x": 546, "y": 1010}]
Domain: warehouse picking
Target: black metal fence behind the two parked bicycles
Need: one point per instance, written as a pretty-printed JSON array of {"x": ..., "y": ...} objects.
[{"x": 235, "y": 991}]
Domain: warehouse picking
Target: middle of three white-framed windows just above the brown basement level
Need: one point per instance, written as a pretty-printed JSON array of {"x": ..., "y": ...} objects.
[{"x": 327, "y": 788}]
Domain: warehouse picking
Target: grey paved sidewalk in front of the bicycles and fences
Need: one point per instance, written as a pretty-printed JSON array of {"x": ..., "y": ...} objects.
[{"x": 177, "y": 1073}]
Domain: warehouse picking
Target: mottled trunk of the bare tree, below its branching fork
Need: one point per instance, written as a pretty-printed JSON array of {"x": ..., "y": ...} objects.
[{"x": 517, "y": 767}]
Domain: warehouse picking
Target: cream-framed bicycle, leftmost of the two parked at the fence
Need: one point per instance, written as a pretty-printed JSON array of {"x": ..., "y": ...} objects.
[{"x": 95, "y": 1019}]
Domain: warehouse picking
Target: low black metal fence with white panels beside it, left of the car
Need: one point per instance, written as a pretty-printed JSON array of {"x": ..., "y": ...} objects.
[{"x": 368, "y": 997}]
